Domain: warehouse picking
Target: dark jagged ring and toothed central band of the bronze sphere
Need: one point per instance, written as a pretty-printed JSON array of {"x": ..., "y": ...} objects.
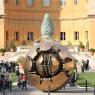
[{"x": 47, "y": 63}]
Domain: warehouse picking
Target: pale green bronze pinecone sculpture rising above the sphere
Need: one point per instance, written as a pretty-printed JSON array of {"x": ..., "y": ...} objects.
[{"x": 47, "y": 27}]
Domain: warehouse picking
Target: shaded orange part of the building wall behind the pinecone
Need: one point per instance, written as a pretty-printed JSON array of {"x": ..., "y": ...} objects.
[{"x": 24, "y": 19}]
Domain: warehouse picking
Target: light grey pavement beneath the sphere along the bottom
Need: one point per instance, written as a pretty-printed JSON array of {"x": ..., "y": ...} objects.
[{"x": 66, "y": 91}]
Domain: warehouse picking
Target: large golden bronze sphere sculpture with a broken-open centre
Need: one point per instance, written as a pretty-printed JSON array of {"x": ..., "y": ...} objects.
[{"x": 48, "y": 65}]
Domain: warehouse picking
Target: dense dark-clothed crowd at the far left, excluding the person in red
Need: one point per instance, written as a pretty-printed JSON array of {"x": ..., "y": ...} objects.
[{"x": 6, "y": 68}]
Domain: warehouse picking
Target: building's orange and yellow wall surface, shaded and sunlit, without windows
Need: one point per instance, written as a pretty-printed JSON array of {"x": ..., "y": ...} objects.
[{"x": 67, "y": 18}]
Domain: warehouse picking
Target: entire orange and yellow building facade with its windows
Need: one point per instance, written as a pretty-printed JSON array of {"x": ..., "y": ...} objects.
[{"x": 73, "y": 21}]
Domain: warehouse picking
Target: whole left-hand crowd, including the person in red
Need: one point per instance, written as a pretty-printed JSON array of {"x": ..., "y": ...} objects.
[{"x": 6, "y": 68}]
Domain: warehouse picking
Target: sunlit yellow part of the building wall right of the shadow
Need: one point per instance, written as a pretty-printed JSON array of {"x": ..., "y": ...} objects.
[{"x": 74, "y": 19}]
